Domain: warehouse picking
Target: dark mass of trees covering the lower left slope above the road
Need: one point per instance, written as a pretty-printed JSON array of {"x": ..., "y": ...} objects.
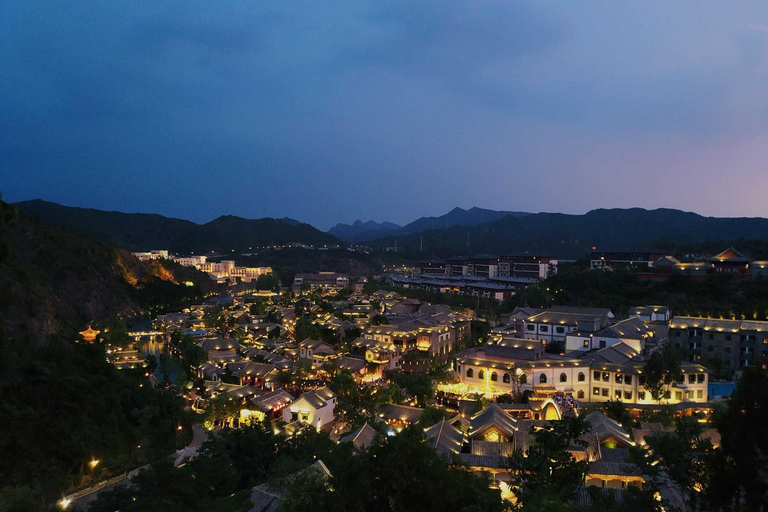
[{"x": 64, "y": 404}]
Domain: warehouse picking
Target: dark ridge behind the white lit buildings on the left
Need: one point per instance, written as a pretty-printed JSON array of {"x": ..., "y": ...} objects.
[{"x": 138, "y": 231}]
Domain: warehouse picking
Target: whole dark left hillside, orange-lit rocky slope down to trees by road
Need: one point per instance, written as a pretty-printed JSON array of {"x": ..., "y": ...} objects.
[{"x": 63, "y": 404}]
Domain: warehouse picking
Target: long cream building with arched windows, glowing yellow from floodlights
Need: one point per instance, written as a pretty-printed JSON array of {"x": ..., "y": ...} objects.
[{"x": 611, "y": 373}]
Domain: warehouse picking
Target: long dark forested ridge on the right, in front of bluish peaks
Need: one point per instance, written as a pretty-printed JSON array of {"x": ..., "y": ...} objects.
[{"x": 572, "y": 236}]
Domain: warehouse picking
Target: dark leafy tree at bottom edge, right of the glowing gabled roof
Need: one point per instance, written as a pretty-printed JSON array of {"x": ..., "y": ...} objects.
[{"x": 546, "y": 475}]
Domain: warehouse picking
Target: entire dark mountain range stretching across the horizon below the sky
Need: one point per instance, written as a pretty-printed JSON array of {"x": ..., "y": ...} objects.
[{"x": 460, "y": 231}]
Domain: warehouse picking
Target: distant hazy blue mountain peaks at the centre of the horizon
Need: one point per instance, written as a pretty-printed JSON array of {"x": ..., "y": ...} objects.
[{"x": 364, "y": 231}]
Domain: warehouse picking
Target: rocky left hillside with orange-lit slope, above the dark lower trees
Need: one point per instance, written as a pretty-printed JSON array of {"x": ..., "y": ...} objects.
[{"x": 54, "y": 282}]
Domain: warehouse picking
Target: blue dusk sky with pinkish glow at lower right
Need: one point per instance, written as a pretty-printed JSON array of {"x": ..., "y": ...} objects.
[{"x": 335, "y": 111}]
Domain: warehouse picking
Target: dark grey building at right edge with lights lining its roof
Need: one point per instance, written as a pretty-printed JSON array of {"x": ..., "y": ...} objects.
[{"x": 736, "y": 344}]
